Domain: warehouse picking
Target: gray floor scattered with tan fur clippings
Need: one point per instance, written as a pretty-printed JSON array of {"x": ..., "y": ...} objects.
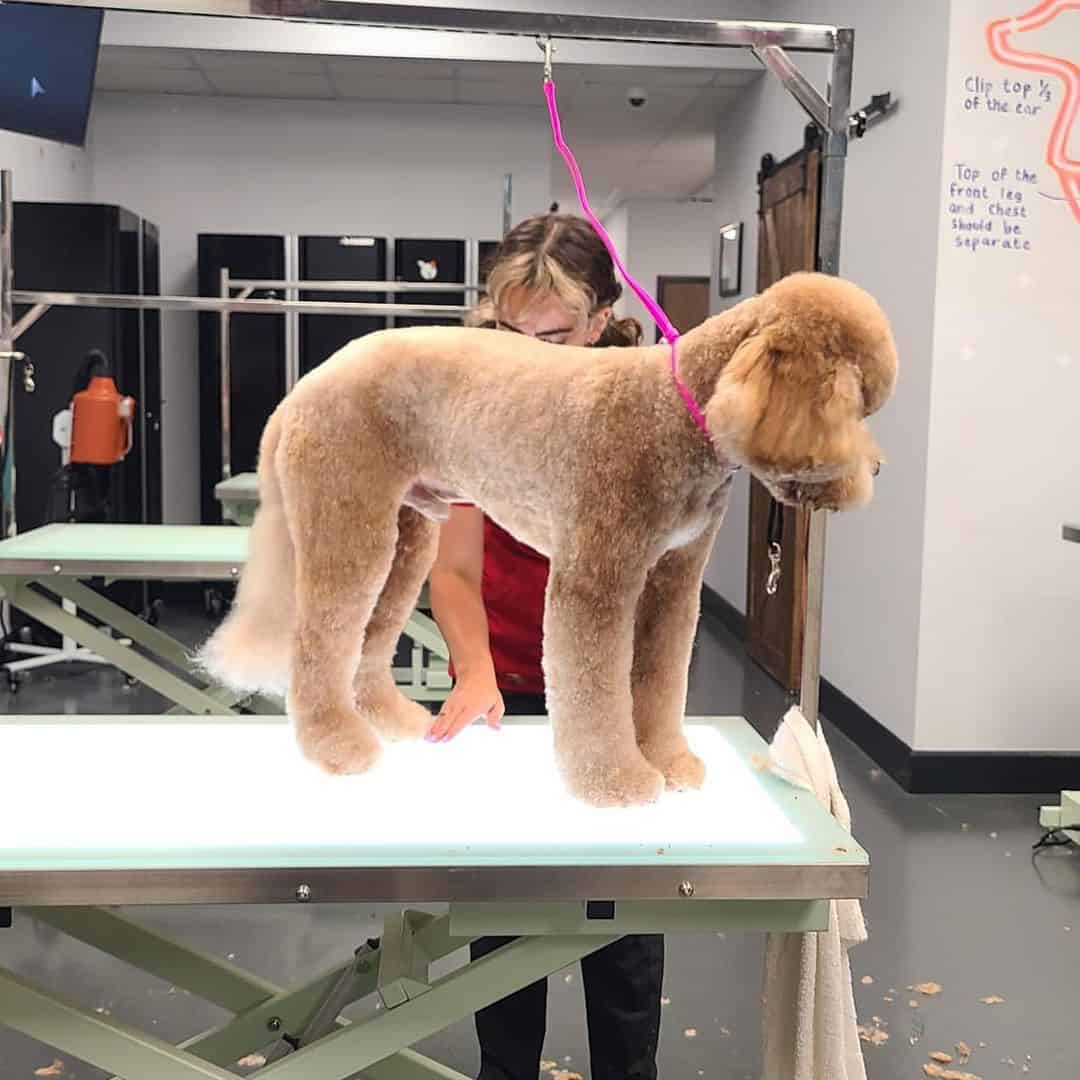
[{"x": 957, "y": 900}]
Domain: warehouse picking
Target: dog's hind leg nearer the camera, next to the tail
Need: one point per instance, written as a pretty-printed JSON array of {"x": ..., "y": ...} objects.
[{"x": 342, "y": 499}]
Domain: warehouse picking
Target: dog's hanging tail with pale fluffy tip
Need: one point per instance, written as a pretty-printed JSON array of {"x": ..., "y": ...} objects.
[{"x": 252, "y": 650}]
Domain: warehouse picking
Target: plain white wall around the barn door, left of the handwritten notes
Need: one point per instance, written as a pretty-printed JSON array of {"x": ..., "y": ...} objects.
[{"x": 889, "y": 247}]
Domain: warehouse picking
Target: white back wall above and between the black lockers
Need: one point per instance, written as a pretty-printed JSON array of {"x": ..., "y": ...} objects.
[{"x": 245, "y": 166}]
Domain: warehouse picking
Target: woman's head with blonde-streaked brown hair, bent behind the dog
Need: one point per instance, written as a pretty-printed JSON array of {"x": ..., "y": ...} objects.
[{"x": 553, "y": 279}]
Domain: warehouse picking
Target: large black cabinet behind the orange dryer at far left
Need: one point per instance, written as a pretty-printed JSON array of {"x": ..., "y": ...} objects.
[{"x": 77, "y": 248}]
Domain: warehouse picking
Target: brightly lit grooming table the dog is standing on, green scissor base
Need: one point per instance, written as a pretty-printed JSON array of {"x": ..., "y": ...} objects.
[{"x": 748, "y": 853}]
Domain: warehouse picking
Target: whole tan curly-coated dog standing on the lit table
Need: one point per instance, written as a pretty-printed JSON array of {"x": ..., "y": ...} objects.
[{"x": 590, "y": 457}]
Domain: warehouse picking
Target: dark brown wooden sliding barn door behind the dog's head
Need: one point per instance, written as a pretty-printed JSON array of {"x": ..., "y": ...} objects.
[{"x": 788, "y": 229}]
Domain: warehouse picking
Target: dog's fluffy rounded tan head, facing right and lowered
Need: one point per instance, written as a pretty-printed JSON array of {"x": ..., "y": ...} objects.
[{"x": 817, "y": 359}]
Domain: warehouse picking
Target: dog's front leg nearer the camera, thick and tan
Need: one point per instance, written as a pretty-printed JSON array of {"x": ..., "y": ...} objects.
[{"x": 589, "y": 636}]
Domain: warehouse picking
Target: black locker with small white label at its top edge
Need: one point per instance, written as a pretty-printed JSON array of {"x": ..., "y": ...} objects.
[{"x": 340, "y": 259}]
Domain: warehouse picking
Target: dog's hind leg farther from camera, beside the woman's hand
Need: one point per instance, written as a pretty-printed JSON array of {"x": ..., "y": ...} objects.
[{"x": 379, "y": 699}]
